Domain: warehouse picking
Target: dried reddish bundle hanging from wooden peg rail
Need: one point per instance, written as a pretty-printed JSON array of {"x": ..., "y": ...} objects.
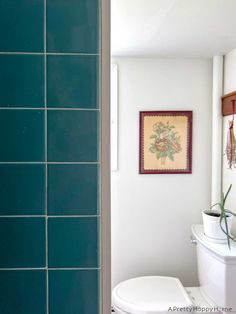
[{"x": 231, "y": 143}]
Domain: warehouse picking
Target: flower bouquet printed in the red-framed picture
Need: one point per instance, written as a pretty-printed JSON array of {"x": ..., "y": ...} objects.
[{"x": 166, "y": 142}]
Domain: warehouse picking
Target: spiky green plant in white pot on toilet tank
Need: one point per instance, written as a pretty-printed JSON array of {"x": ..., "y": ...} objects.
[{"x": 217, "y": 223}]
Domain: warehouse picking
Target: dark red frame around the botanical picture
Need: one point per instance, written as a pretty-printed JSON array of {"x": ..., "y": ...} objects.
[{"x": 188, "y": 168}]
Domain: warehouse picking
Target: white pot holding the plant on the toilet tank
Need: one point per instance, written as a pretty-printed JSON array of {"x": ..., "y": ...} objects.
[{"x": 211, "y": 225}]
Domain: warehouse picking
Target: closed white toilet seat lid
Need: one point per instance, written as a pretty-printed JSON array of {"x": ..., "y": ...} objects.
[{"x": 150, "y": 294}]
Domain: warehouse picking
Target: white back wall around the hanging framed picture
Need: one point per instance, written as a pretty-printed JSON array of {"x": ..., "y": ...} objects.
[{"x": 152, "y": 214}]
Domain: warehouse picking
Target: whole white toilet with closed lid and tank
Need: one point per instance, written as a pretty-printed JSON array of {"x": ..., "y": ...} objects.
[{"x": 156, "y": 294}]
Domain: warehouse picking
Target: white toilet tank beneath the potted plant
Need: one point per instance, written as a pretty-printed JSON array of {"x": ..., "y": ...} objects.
[{"x": 216, "y": 270}]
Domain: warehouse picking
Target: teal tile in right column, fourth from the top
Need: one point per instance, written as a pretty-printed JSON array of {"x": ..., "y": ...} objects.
[{"x": 72, "y": 189}]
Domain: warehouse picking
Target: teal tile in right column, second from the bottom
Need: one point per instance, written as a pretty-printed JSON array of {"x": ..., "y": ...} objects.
[{"x": 73, "y": 242}]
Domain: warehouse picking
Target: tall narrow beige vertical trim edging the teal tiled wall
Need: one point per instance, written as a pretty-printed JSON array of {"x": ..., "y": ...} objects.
[{"x": 105, "y": 277}]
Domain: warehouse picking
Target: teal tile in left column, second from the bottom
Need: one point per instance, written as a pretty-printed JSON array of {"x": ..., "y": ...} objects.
[{"x": 22, "y": 242}]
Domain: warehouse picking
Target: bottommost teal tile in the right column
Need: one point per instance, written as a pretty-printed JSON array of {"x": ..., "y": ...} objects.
[{"x": 80, "y": 291}]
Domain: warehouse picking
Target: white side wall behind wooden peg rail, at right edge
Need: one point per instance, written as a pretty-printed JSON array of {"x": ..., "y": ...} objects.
[{"x": 229, "y": 176}]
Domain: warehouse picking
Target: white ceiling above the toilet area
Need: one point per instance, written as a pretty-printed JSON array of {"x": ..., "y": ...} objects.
[{"x": 172, "y": 28}]
